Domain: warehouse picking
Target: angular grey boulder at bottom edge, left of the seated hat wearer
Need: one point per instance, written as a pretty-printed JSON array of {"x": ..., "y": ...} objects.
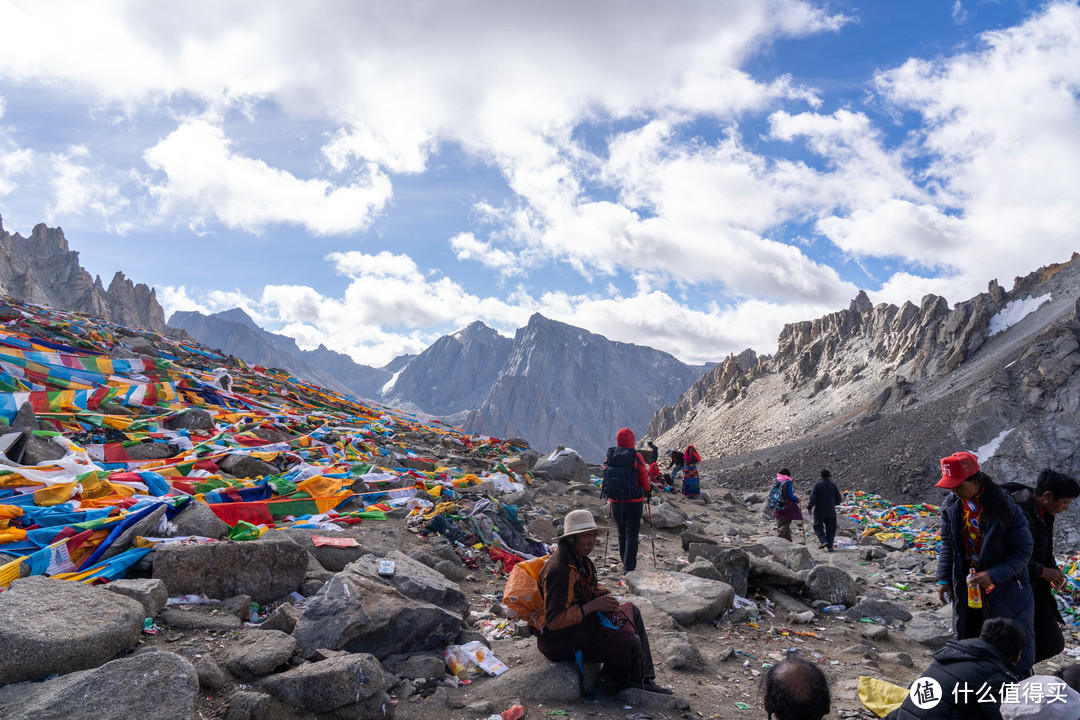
[{"x": 333, "y": 686}]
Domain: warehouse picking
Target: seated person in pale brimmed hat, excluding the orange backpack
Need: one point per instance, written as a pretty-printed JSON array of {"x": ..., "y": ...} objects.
[{"x": 584, "y": 621}]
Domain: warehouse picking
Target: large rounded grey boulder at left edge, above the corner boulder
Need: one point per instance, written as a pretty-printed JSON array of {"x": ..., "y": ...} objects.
[{"x": 51, "y": 627}]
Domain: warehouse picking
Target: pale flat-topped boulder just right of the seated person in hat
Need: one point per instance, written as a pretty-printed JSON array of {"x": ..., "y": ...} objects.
[{"x": 686, "y": 599}]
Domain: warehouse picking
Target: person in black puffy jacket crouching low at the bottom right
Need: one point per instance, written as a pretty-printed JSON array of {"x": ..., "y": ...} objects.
[{"x": 967, "y": 676}]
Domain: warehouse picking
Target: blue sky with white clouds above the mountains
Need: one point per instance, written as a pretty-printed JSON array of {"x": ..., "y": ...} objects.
[{"x": 686, "y": 175}]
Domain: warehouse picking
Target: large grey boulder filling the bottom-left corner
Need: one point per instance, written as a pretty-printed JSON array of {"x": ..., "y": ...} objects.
[{"x": 153, "y": 685}]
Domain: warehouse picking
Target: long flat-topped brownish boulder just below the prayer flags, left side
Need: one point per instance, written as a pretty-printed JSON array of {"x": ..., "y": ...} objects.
[{"x": 266, "y": 569}]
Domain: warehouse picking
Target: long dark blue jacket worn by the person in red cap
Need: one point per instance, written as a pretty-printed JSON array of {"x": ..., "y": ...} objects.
[{"x": 1007, "y": 549}]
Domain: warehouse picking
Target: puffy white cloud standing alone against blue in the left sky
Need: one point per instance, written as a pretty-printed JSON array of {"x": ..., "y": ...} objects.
[{"x": 205, "y": 180}]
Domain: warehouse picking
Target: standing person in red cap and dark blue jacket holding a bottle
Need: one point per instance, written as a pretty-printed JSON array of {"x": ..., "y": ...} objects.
[{"x": 987, "y": 546}]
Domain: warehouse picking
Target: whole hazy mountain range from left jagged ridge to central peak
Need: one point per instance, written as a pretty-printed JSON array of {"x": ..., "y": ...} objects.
[{"x": 551, "y": 385}]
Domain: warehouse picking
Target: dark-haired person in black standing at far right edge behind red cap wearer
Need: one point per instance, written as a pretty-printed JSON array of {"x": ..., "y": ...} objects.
[{"x": 1052, "y": 496}]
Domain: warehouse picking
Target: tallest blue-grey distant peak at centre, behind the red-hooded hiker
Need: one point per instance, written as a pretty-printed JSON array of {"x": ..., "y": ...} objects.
[{"x": 564, "y": 386}]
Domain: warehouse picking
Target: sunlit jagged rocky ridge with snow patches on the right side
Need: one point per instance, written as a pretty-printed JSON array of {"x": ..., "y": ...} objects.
[{"x": 881, "y": 393}]
